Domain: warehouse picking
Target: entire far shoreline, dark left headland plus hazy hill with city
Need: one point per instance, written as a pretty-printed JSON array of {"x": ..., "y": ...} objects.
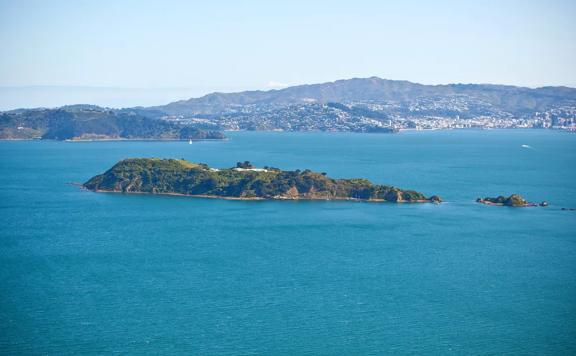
[{"x": 355, "y": 105}]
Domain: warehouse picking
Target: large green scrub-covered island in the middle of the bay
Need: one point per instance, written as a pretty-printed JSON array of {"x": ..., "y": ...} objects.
[{"x": 243, "y": 182}]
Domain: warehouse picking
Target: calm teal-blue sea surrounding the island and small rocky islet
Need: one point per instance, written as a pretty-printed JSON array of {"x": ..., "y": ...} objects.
[{"x": 91, "y": 273}]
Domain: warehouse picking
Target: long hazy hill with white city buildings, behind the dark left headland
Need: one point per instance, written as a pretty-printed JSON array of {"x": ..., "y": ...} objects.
[{"x": 379, "y": 105}]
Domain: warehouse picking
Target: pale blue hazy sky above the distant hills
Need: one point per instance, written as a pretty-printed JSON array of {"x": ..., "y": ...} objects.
[{"x": 195, "y": 47}]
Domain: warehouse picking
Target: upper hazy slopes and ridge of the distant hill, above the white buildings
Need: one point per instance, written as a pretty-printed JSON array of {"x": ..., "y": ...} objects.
[{"x": 512, "y": 99}]
